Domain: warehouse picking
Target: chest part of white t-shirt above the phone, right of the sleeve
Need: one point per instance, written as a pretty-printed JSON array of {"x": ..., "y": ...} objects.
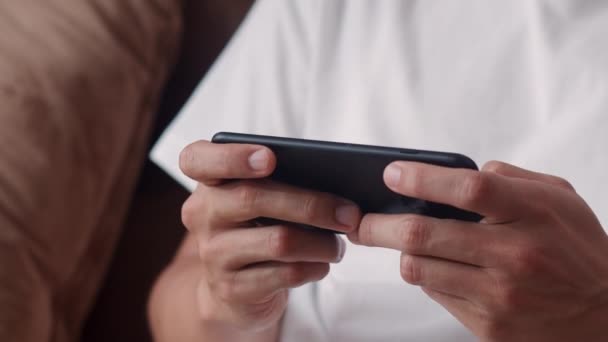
[{"x": 523, "y": 83}]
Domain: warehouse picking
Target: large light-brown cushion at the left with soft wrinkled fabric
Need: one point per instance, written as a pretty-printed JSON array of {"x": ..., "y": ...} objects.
[{"x": 79, "y": 81}]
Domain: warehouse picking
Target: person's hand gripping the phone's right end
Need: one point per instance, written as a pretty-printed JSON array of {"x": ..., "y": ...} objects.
[{"x": 535, "y": 269}]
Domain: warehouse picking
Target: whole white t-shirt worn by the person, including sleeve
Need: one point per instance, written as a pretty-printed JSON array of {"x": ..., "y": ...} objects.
[{"x": 523, "y": 81}]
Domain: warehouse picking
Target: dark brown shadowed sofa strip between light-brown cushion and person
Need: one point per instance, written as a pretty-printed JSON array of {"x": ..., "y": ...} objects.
[{"x": 153, "y": 229}]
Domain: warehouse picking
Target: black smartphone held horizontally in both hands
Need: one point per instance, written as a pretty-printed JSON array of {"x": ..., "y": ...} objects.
[{"x": 354, "y": 171}]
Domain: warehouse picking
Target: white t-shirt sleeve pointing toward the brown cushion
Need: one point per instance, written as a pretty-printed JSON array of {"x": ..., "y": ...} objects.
[{"x": 258, "y": 84}]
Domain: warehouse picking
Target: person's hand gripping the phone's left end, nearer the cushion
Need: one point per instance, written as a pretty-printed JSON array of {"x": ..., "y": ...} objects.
[{"x": 247, "y": 267}]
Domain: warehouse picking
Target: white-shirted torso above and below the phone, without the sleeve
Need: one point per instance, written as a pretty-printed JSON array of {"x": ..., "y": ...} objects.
[{"x": 524, "y": 82}]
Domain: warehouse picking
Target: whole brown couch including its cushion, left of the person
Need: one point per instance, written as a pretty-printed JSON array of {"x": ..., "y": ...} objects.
[{"x": 86, "y": 223}]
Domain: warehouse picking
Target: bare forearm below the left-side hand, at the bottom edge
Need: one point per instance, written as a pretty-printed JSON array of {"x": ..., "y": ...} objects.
[{"x": 173, "y": 309}]
